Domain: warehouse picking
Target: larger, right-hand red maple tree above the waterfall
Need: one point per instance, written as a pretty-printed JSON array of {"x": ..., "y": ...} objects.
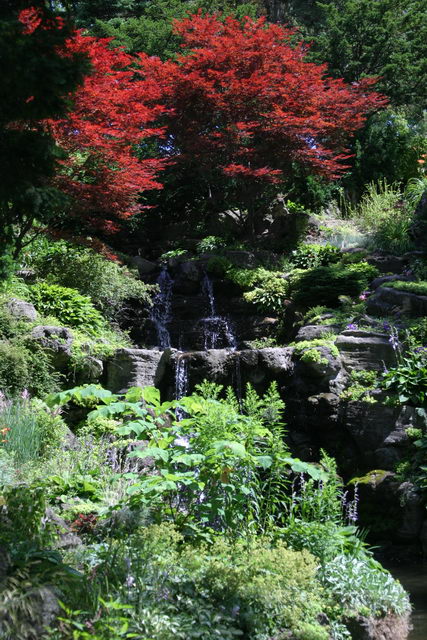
[{"x": 243, "y": 102}]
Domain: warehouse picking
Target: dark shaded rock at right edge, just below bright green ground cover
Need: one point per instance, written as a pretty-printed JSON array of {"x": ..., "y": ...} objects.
[{"x": 387, "y": 301}]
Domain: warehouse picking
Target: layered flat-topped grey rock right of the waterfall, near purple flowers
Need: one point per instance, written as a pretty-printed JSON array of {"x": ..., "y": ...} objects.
[{"x": 365, "y": 350}]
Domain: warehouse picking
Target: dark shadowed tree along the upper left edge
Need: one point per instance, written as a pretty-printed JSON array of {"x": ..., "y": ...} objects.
[{"x": 36, "y": 82}]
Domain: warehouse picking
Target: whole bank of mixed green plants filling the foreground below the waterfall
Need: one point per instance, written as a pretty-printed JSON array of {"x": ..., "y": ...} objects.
[{"x": 209, "y": 526}]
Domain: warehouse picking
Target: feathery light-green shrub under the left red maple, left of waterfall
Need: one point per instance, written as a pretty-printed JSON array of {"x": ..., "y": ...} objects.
[{"x": 109, "y": 285}]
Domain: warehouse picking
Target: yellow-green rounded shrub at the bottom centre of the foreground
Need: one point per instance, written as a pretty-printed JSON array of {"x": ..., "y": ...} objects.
[{"x": 271, "y": 588}]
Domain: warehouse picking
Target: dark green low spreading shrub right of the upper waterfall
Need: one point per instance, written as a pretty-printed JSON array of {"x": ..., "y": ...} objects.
[{"x": 324, "y": 285}]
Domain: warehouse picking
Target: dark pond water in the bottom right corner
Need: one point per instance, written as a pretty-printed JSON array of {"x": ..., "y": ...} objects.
[{"x": 414, "y": 578}]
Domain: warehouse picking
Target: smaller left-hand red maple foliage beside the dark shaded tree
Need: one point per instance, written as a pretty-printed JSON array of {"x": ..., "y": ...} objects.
[{"x": 110, "y": 117}]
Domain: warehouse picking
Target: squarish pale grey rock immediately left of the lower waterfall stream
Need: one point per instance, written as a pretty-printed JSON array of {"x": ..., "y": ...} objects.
[{"x": 136, "y": 368}]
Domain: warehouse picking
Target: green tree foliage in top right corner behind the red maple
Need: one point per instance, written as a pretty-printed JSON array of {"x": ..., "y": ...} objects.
[{"x": 385, "y": 38}]
